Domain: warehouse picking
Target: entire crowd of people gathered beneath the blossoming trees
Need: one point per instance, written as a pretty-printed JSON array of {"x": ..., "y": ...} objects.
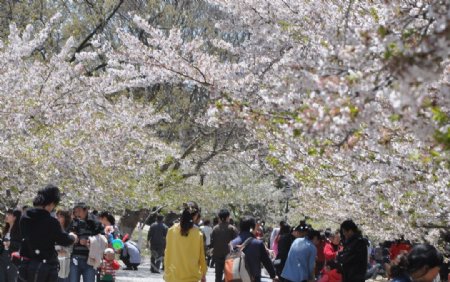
[{"x": 42, "y": 244}]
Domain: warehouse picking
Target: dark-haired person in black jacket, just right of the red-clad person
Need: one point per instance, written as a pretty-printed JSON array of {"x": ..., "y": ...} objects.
[{"x": 353, "y": 258}]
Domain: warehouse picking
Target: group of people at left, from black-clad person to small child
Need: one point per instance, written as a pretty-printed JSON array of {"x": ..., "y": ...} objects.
[{"x": 42, "y": 245}]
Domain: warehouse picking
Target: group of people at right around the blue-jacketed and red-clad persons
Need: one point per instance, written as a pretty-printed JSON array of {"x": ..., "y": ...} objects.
[{"x": 345, "y": 255}]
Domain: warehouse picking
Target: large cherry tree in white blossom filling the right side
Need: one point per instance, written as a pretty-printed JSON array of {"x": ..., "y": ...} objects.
[{"x": 350, "y": 99}]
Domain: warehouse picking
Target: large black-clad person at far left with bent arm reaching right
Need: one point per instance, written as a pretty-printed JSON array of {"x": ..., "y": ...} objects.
[{"x": 40, "y": 233}]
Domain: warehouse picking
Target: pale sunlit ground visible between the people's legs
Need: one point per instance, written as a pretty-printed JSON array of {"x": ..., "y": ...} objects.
[{"x": 144, "y": 274}]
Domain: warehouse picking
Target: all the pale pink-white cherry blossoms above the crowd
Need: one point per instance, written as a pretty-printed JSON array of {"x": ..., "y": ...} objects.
[{"x": 348, "y": 100}]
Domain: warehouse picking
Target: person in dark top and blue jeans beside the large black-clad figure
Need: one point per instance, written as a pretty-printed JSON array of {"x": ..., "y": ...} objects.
[{"x": 84, "y": 225}]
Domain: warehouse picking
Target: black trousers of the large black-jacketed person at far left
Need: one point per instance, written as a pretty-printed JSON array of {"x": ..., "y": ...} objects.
[{"x": 37, "y": 271}]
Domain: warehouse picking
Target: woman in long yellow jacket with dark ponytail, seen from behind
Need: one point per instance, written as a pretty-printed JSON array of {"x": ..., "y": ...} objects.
[{"x": 184, "y": 258}]
